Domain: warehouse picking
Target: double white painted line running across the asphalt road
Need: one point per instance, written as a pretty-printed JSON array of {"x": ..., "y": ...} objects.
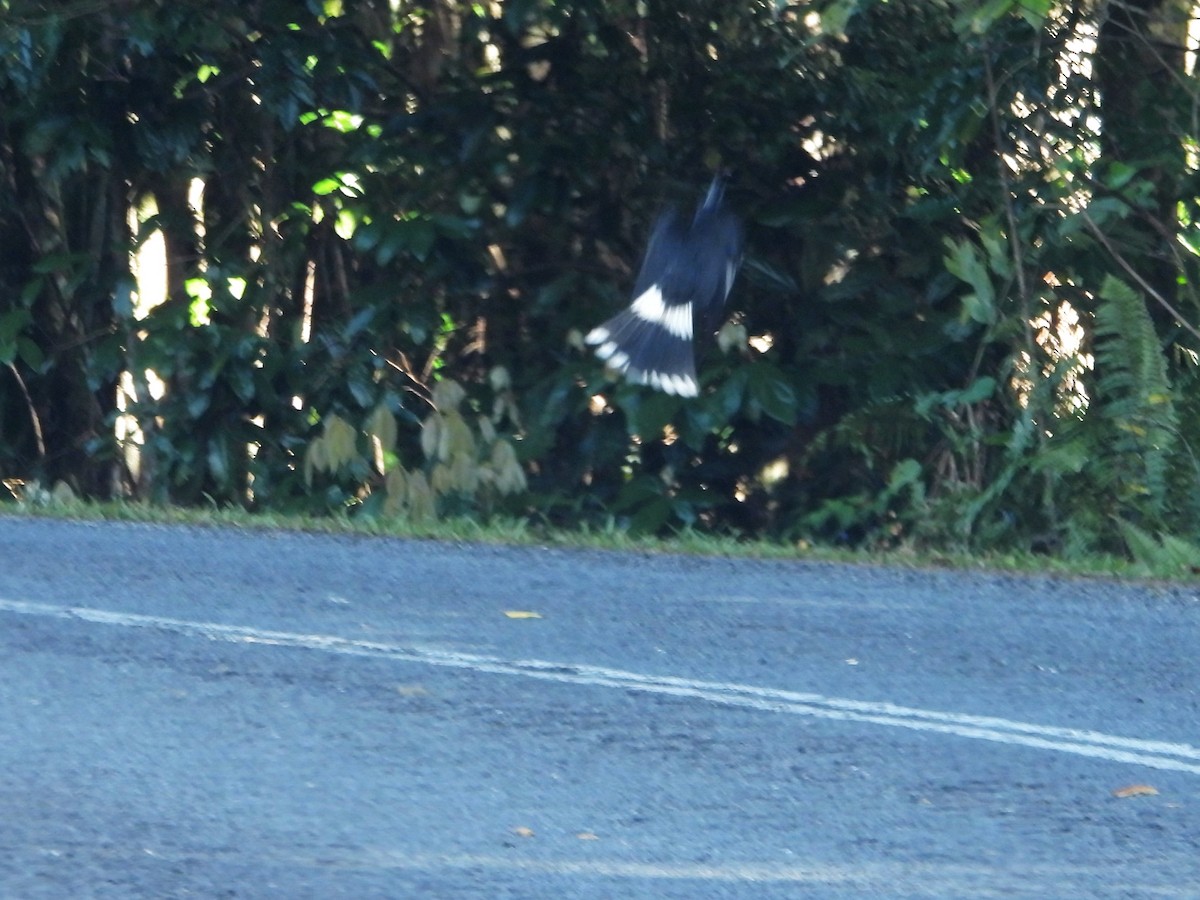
[{"x": 1153, "y": 754}]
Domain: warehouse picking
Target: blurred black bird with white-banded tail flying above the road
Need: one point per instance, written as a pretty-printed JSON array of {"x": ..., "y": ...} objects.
[{"x": 681, "y": 292}]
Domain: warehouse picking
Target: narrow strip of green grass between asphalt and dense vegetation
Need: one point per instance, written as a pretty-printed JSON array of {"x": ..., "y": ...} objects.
[{"x": 523, "y": 533}]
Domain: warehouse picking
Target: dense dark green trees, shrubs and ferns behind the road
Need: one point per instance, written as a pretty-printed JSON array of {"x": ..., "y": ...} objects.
[{"x": 968, "y": 316}]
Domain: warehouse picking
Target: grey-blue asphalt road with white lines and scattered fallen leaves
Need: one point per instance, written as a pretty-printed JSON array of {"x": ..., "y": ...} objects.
[{"x": 218, "y": 713}]
